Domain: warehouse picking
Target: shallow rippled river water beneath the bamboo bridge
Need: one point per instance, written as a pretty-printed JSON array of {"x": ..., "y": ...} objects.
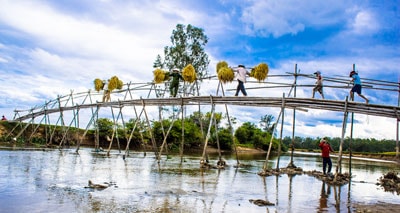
[{"x": 55, "y": 181}]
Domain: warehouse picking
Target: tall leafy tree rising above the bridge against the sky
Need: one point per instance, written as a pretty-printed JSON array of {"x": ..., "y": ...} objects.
[{"x": 187, "y": 47}]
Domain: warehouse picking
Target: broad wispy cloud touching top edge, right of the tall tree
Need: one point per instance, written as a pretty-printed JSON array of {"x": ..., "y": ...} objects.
[{"x": 271, "y": 17}]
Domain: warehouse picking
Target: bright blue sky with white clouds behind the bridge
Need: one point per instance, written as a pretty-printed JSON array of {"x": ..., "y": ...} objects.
[{"x": 52, "y": 47}]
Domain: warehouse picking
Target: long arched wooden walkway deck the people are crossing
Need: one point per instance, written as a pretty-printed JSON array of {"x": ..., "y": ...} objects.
[{"x": 289, "y": 103}]
